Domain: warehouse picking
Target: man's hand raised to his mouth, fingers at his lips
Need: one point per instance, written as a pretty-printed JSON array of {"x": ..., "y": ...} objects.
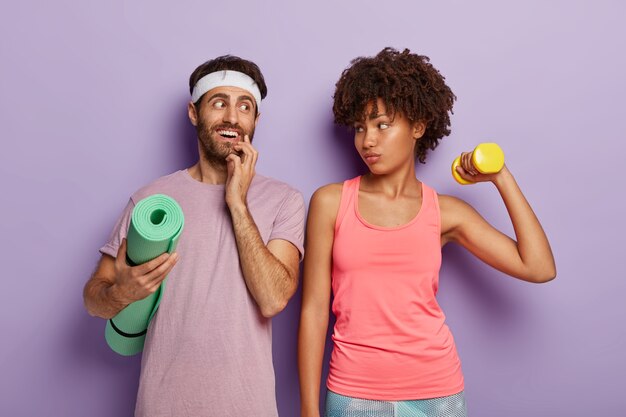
[{"x": 240, "y": 173}]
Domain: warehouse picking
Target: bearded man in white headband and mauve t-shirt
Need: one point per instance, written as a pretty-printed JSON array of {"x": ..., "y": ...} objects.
[{"x": 208, "y": 348}]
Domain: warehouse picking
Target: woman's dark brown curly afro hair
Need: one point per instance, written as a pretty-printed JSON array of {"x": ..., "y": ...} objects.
[{"x": 406, "y": 83}]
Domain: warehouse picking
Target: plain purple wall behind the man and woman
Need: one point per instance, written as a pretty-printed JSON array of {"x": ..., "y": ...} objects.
[{"x": 93, "y": 105}]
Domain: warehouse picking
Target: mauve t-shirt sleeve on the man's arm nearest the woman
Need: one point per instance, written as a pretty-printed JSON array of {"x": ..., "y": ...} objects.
[{"x": 289, "y": 223}]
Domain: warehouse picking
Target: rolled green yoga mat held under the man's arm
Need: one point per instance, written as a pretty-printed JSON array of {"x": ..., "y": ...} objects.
[{"x": 155, "y": 227}]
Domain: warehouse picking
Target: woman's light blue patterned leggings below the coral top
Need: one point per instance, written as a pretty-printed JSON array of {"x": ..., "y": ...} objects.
[{"x": 341, "y": 406}]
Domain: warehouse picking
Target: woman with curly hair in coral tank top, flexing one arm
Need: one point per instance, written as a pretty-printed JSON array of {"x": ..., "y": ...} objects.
[{"x": 376, "y": 241}]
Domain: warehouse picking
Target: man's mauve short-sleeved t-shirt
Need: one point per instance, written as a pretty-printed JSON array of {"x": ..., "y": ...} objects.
[{"x": 208, "y": 348}]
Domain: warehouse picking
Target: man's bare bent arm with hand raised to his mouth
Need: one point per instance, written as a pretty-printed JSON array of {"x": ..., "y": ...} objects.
[{"x": 270, "y": 272}]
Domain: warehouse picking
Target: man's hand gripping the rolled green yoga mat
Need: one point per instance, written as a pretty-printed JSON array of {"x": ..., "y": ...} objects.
[{"x": 133, "y": 283}]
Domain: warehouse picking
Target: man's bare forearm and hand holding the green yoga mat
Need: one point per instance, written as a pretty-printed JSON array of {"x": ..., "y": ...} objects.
[{"x": 115, "y": 284}]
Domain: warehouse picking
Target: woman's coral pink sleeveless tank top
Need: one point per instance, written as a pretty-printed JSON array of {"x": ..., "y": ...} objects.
[{"x": 390, "y": 340}]
